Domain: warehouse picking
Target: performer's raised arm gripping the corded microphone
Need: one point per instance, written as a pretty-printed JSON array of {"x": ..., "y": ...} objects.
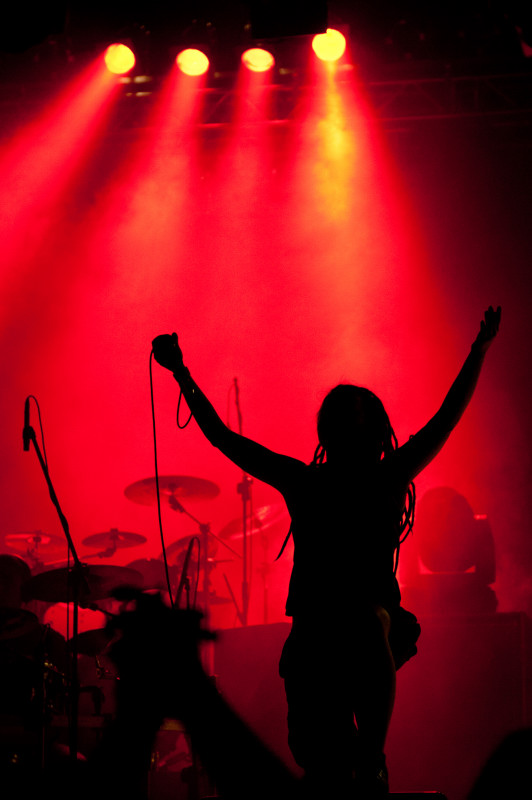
[{"x": 264, "y": 464}]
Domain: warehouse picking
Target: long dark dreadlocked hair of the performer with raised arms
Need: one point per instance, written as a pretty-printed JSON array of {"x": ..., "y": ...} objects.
[{"x": 378, "y": 426}]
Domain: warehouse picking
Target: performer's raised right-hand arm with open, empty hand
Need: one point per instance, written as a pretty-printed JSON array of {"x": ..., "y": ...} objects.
[{"x": 421, "y": 448}]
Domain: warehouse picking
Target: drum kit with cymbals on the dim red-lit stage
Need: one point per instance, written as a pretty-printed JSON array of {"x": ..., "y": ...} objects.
[{"x": 43, "y": 649}]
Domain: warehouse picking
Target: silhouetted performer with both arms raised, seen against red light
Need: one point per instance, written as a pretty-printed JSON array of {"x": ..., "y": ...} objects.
[{"x": 350, "y": 508}]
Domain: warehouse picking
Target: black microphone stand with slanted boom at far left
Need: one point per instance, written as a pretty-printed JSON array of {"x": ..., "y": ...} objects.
[{"x": 77, "y": 579}]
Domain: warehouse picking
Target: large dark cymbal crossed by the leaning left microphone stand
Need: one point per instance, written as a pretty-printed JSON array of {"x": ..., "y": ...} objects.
[{"x": 55, "y": 586}]
